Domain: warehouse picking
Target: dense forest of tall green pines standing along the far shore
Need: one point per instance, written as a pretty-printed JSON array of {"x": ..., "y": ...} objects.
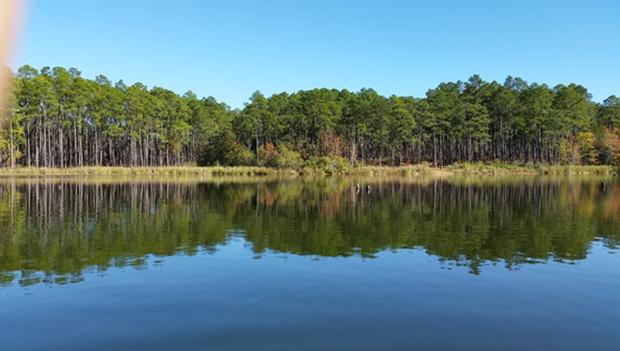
[{"x": 56, "y": 118}]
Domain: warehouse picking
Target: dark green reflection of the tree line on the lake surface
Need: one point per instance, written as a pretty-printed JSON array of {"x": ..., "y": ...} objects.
[{"x": 54, "y": 231}]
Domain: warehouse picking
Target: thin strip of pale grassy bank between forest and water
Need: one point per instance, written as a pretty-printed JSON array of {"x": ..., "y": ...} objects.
[{"x": 362, "y": 170}]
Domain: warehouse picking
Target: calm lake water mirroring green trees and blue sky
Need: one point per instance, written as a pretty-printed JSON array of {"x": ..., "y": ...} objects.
[{"x": 310, "y": 264}]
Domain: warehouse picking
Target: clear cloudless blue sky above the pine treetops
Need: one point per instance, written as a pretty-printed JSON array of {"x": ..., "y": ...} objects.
[{"x": 228, "y": 49}]
